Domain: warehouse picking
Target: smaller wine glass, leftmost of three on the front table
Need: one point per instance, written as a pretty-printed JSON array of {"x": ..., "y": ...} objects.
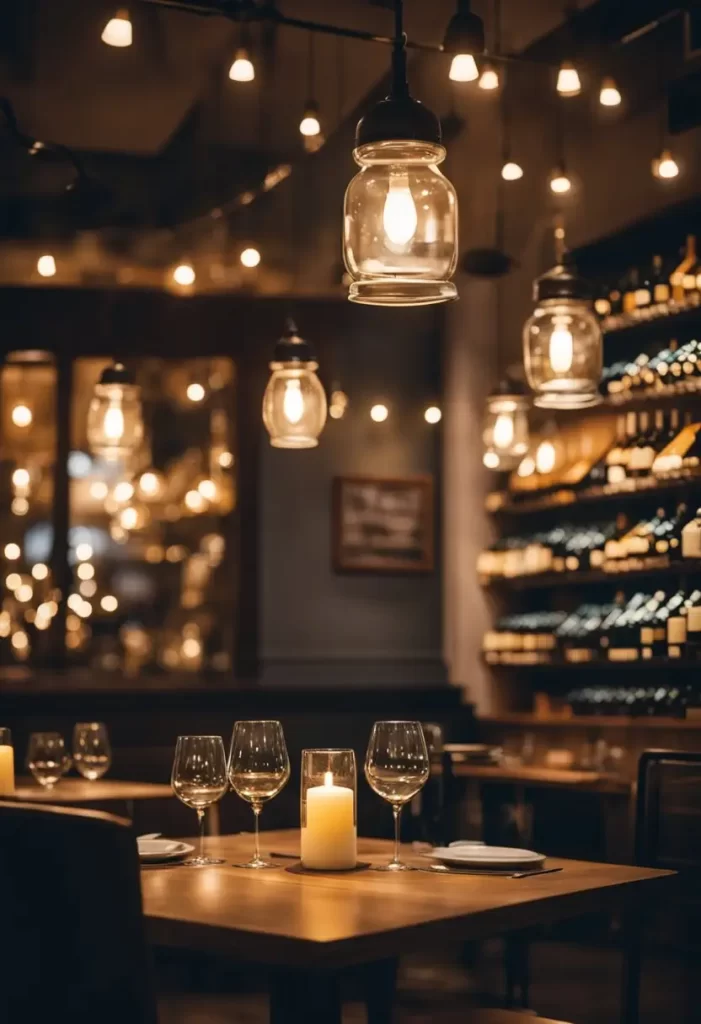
[{"x": 199, "y": 780}]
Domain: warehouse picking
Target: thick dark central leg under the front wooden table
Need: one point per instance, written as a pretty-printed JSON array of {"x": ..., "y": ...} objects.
[{"x": 305, "y": 998}]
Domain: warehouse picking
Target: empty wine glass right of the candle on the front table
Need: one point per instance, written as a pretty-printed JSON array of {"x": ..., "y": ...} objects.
[{"x": 397, "y": 767}]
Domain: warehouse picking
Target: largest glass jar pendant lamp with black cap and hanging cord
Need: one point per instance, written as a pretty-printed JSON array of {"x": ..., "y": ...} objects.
[{"x": 401, "y": 214}]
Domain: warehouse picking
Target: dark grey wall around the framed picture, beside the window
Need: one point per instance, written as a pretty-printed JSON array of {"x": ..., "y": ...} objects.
[{"x": 318, "y": 626}]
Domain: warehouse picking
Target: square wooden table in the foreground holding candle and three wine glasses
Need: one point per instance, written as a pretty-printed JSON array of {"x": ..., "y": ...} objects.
[{"x": 310, "y": 927}]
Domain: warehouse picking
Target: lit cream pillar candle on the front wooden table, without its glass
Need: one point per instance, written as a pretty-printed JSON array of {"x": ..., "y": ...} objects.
[{"x": 329, "y": 838}]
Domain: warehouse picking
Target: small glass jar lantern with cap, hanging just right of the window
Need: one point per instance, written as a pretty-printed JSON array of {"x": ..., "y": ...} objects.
[{"x": 295, "y": 403}]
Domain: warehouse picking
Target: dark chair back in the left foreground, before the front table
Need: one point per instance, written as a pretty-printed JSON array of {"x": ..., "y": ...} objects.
[{"x": 75, "y": 947}]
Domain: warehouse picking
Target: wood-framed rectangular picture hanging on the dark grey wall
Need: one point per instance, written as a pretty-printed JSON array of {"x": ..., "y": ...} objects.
[{"x": 383, "y": 525}]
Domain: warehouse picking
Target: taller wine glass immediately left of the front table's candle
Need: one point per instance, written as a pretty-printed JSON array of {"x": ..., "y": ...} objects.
[{"x": 259, "y": 770}]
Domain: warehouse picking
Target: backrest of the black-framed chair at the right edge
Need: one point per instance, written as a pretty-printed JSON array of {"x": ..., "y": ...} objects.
[{"x": 669, "y": 810}]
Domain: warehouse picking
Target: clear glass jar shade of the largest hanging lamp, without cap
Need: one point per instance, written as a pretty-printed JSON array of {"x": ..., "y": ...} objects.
[{"x": 401, "y": 226}]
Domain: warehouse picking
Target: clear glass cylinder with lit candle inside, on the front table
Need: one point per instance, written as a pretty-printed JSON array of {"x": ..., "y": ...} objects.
[{"x": 329, "y": 810}]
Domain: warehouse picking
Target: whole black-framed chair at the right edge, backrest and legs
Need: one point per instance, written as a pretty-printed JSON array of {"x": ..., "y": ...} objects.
[{"x": 669, "y": 836}]
